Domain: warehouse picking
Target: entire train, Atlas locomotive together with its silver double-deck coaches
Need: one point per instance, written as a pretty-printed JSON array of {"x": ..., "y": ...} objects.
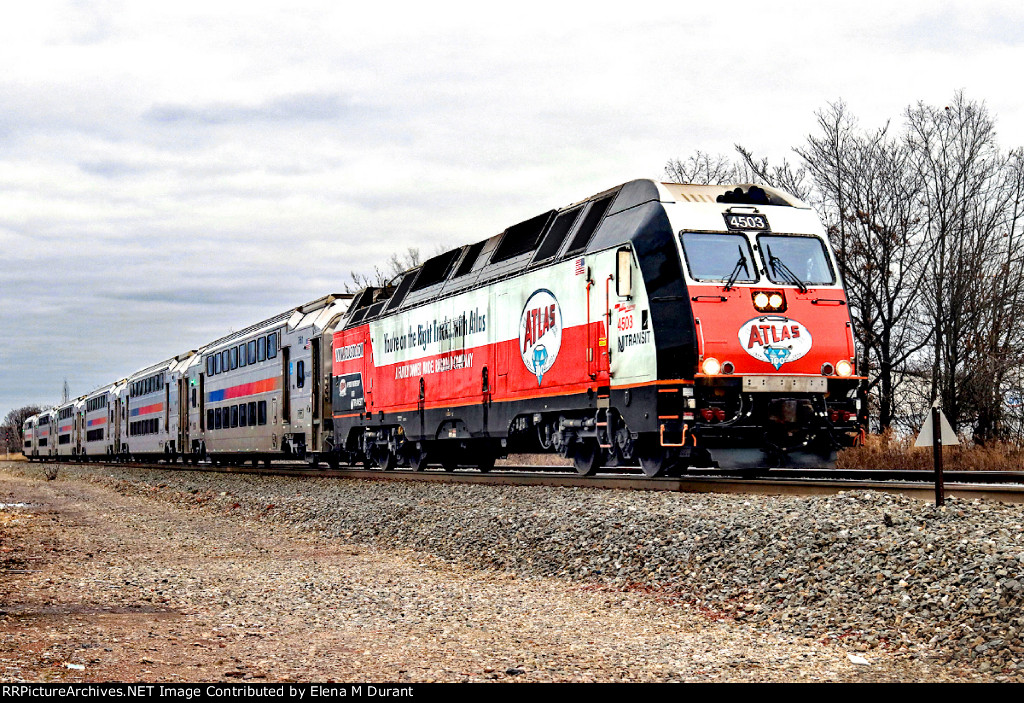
[{"x": 654, "y": 325}]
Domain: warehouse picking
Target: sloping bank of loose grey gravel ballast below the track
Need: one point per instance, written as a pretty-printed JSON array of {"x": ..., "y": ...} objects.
[{"x": 871, "y": 569}]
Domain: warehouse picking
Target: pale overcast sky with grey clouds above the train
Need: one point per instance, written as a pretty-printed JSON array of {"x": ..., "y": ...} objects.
[{"x": 172, "y": 172}]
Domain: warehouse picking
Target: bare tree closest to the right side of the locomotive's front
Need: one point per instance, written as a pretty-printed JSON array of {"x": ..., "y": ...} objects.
[{"x": 870, "y": 198}]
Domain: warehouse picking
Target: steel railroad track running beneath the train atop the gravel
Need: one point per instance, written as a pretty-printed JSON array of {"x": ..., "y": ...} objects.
[{"x": 1001, "y": 487}]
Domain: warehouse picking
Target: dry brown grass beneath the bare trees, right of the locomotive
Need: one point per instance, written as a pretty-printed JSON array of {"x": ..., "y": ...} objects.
[{"x": 889, "y": 452}]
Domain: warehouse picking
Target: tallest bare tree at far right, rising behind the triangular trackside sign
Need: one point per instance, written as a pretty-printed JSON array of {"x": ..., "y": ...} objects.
[{"x": 974, "y": 288}]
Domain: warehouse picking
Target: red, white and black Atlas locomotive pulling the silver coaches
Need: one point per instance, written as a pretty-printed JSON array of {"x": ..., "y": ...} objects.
[{"x": 655, "y": 324}]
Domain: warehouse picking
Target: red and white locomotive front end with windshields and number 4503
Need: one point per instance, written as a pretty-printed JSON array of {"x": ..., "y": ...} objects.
[{"x": 770, "y": 375}]
